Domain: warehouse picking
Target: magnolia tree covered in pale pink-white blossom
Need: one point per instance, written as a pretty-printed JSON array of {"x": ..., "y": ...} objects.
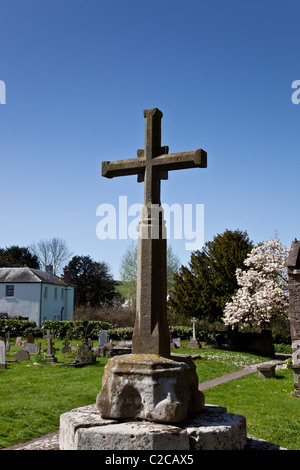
[{"x": 262, "y": 293}]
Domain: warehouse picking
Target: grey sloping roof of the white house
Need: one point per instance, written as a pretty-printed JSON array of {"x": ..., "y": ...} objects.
[{"x": 28, "y": 275}]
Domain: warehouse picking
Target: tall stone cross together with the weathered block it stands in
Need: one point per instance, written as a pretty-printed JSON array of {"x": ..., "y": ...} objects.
[{"x": 150, "y": 384}]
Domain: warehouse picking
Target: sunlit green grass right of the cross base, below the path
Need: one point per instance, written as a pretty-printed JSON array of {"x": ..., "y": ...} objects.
[{"x": 271, "y": 412}]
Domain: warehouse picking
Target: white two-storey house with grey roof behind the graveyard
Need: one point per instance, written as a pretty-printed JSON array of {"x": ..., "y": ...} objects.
[{"x": 38, "y": 295}]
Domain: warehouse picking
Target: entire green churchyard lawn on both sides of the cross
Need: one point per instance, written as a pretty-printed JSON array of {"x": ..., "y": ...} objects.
[{"x": 34, "y": 394}]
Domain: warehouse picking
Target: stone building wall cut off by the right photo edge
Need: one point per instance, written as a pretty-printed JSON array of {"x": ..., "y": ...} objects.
[{"x": 293, "y": 265}]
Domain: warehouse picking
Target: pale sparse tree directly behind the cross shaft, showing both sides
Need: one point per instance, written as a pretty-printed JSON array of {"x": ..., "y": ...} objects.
[{"x": 128, "y": 271}]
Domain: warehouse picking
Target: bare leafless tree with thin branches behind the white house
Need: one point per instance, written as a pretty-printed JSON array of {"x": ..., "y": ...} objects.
[{"x": 53, "y": 252}]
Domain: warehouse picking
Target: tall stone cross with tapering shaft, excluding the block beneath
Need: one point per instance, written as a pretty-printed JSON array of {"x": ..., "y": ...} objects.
[{"x": 151, "y": 333}]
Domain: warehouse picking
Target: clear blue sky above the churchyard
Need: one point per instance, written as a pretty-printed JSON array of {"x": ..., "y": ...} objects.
[{"x": 78, "y": 75}]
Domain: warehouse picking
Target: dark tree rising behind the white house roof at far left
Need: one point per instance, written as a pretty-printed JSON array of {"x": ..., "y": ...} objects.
[{"x": 16, "y": 256}]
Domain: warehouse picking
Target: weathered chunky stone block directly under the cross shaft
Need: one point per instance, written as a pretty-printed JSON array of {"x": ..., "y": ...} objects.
[{"x": 148, "y": 386}]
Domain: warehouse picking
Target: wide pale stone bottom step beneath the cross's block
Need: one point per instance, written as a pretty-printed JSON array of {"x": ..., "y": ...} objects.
[{"x": 212, "y": 429}]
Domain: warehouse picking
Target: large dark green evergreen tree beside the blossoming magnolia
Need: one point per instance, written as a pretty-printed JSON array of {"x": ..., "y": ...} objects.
[{"x": 203, "y": 288}]
